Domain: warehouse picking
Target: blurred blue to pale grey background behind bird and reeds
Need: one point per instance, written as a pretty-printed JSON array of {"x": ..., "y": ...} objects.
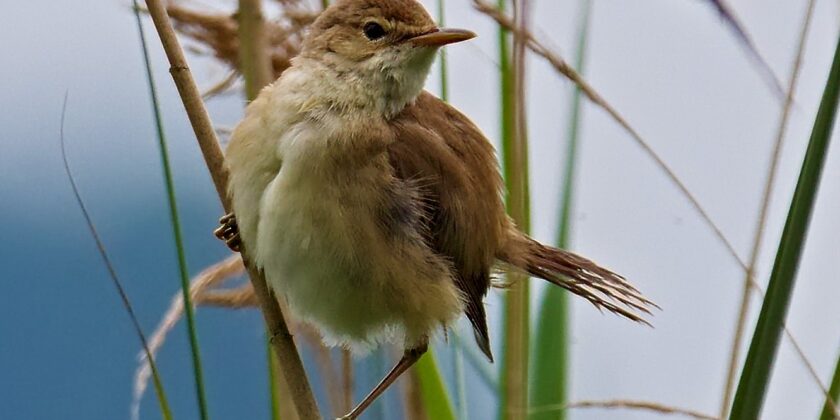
[{"x": 674, "y": 69}]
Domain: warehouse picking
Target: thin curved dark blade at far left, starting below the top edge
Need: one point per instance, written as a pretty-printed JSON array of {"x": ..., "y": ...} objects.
[{"x": 163, "y": 403}]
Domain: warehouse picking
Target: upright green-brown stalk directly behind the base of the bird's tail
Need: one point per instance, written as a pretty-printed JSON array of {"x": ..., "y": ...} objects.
[{"x": 514, "y": 382}]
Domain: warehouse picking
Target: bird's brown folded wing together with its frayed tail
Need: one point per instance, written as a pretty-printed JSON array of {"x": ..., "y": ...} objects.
[{"x": 443, "y": 151}]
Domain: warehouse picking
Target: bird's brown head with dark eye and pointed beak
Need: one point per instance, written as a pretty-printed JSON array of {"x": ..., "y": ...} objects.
[{"x": 383, "y": 46}]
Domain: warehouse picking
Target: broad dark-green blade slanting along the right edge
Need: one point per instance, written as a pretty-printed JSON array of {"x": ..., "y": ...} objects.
[{"x": 755, "y": 376}]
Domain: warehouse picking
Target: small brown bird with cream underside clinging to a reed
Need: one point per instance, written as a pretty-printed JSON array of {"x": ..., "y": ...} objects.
[{"x": 374, "y": 208}]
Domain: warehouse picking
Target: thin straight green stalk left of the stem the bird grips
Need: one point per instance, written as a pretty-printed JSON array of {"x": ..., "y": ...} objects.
[{"x": 176, "y": 227}]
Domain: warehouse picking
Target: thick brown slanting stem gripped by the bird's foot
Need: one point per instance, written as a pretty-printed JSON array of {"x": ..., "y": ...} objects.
[{"x": 281, "y": 339}]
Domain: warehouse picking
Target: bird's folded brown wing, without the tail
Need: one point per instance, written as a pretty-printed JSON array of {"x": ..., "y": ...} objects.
[{"x": 442, "y": 152}]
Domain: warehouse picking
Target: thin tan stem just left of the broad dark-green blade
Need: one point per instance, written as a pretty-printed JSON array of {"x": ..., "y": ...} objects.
[{"x": 740, "y": 325}]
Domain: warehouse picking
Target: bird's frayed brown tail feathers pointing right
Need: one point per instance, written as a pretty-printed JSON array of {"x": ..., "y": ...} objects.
[{"x": 576, "y": 274}]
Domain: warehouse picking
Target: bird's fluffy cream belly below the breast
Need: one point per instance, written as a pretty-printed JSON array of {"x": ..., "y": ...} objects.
[{"x": 326, "y": 254}]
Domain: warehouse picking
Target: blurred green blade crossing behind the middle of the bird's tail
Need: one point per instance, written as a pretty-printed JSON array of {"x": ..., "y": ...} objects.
[{"x": 549, "y": 372}]
